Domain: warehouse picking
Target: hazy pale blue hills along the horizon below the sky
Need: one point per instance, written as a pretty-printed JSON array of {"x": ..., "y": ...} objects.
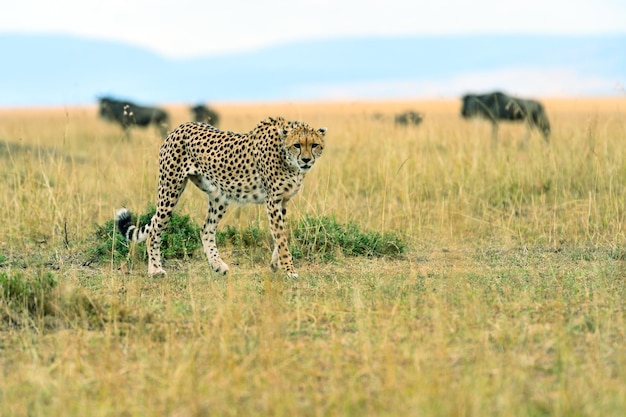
[{"x": 52, "y": 70}]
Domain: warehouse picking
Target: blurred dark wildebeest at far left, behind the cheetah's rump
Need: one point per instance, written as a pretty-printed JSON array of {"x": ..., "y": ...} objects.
[{"x": 129, "y": 114}]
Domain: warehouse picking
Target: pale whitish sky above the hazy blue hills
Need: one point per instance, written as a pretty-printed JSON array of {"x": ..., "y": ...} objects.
[{"x": 188, "y": 28}]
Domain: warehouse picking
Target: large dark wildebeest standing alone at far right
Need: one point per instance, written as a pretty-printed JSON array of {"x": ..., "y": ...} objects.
[{"x": 498, "y": 106}]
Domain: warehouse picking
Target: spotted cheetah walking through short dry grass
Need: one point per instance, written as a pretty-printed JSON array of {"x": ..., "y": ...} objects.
[{"x": 266, "y": 165}]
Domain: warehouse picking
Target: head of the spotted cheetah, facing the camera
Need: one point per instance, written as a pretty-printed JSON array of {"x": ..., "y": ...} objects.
[{"x": 303, "y": 144}]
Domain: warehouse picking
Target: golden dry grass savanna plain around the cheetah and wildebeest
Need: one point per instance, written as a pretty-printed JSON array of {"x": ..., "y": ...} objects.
[{"x": 507, "y": 300}]
